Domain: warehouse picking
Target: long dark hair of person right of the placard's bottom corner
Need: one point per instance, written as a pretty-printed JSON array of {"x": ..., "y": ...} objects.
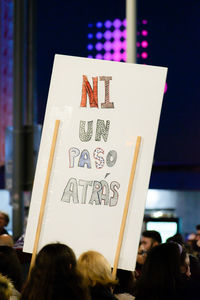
[{"x": 161, "y": 273}]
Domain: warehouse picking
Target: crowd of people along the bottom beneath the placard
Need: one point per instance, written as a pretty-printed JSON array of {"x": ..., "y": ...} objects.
[{"x": 169, "y": 270}]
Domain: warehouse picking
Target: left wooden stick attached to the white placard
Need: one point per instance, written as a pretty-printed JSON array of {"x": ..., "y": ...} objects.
[{"x": 44, "y": 196}]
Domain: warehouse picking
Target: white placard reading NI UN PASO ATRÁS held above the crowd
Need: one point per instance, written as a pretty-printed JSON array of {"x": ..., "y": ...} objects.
[{"x": 94, "y": 154}]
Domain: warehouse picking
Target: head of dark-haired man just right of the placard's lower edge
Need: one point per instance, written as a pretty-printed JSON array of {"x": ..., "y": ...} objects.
[{"x": 150, "y": 239}]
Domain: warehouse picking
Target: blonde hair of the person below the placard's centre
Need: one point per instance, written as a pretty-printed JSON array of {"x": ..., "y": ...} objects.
[{"x": 95, "y": 269}]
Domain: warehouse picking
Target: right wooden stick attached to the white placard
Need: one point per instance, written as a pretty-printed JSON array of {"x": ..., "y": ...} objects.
[{"x": 126, "y": 206}]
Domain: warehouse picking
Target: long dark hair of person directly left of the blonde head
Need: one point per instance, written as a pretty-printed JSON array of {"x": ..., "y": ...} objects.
[{"x": 54, "y": 276}]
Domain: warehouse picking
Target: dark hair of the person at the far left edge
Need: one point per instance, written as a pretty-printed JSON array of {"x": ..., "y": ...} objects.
[{"x": 10, "y": 266}]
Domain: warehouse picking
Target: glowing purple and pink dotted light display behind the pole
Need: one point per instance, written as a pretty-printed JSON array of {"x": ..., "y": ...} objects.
[{"x": 107, "y": 40}]
